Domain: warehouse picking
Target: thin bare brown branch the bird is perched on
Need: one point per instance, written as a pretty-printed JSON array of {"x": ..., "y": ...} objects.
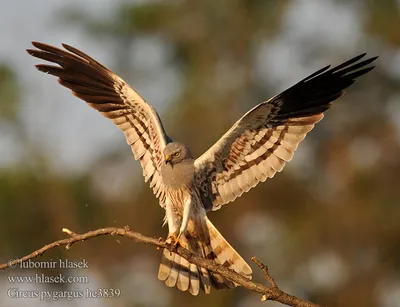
[{"x": 273, "y": 293}]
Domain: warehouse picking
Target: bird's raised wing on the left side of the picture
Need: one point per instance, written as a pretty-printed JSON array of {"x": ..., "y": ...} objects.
[{"x": 113, "y": 98}]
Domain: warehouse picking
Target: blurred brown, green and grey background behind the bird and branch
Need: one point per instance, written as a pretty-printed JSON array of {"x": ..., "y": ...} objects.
[{"x": 328, "y": 226}]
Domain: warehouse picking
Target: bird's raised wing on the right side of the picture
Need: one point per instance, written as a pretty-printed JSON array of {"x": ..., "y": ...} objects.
[{"x": 260, "y": 143}]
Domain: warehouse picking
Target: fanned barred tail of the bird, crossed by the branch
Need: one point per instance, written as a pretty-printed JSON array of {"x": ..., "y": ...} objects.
[{"x": 207, "y": 243}]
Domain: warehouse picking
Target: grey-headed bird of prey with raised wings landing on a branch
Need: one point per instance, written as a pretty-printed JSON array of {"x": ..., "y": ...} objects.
[{"x": 256, "y": 147}]
